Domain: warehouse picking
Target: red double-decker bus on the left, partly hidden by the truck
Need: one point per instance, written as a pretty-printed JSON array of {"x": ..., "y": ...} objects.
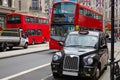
[{"x": 36, "y": 28}]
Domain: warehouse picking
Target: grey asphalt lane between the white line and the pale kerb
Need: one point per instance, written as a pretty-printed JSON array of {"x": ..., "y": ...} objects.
[{"x": 14, "y": 65}]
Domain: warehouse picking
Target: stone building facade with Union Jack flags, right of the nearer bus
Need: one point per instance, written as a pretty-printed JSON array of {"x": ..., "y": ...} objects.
[{"x": 104, "y": 6}]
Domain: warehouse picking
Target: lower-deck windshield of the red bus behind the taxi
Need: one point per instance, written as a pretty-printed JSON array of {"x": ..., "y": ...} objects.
[{"x": 58, "y": 32}]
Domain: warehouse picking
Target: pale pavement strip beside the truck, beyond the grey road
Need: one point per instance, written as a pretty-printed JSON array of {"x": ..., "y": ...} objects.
[{"x": 21, "y": 51}]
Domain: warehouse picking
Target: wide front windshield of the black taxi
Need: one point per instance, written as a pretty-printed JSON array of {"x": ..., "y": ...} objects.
[{"x": 81, "y": 40}]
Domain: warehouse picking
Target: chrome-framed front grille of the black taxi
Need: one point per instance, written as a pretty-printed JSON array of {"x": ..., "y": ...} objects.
[{"x": 71, "y": 62}]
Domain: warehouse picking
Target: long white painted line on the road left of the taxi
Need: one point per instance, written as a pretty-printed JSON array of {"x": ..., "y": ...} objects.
[{"x": 24, "y": 72}]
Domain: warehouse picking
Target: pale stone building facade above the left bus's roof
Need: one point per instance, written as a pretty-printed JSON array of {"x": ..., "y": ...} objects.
[{"x": 33, "y": 7}]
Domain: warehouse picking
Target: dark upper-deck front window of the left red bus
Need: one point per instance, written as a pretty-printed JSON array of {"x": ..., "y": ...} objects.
[{"x": 14, "y": 19}]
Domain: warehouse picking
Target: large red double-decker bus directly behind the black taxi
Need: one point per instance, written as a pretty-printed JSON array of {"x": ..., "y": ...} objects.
[{"x": 70, "y": 16}]
